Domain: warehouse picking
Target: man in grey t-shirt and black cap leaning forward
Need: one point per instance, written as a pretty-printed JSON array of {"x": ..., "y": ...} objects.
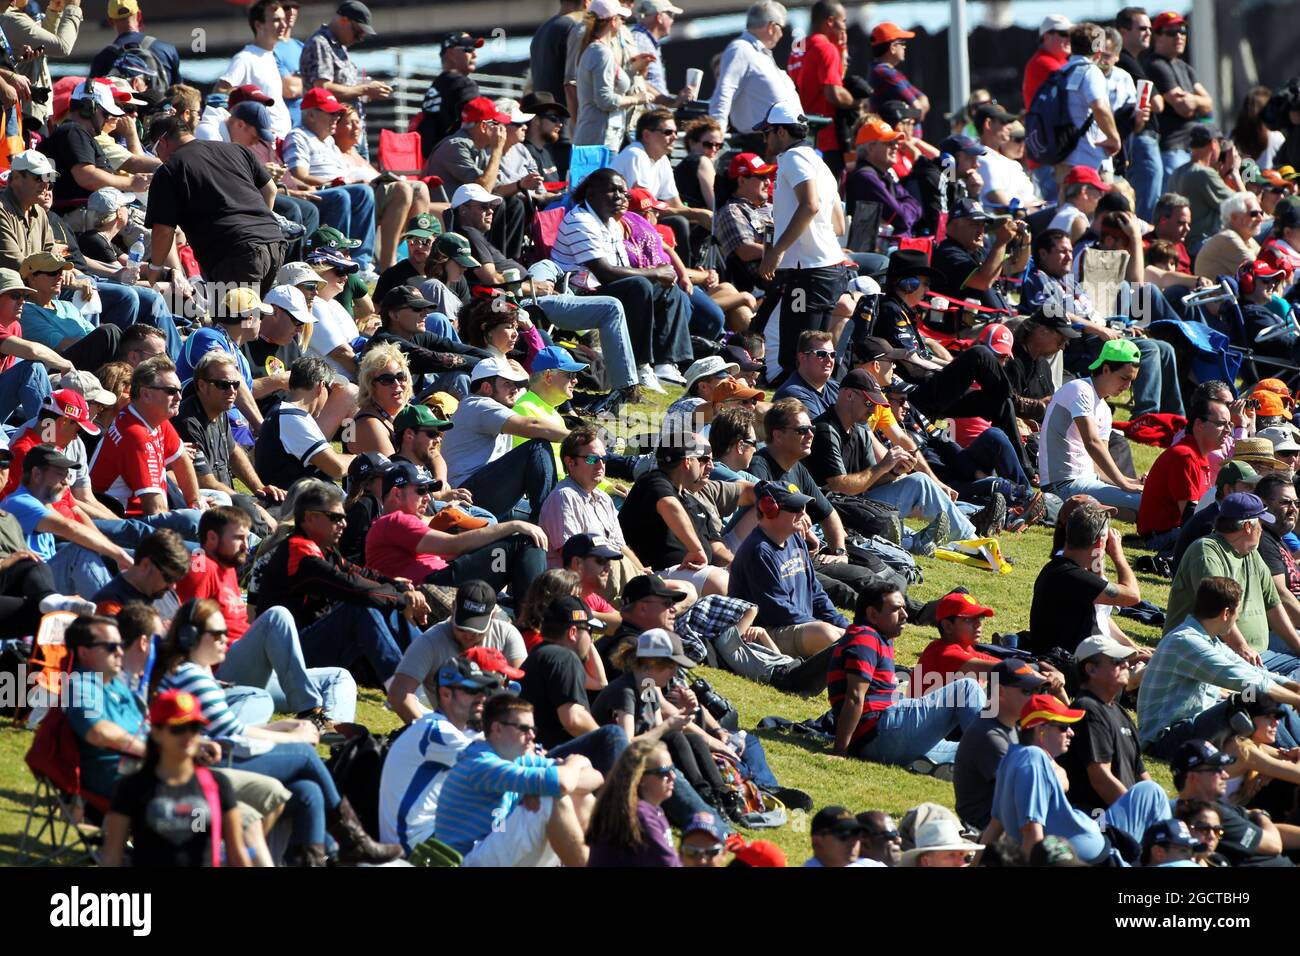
[{"x": 475, "y": 628}]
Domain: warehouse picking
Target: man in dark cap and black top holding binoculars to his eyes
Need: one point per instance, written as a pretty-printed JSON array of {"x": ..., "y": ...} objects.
[{"x": 970, "y": 269}]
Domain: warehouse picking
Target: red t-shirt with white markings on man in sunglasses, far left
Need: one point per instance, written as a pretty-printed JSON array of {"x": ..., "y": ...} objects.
[{"x": 132, "y": 460}]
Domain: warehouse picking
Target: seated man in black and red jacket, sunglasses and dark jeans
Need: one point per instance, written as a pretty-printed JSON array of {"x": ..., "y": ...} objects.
[{"x": 344, "y": 612}]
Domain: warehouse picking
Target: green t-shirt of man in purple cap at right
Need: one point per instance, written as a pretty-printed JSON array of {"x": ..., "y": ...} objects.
[{"x": 1212, "y": 557}]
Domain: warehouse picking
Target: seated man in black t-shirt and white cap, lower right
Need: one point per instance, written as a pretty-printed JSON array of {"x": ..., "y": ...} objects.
[{"x": 1104, "y": 759}]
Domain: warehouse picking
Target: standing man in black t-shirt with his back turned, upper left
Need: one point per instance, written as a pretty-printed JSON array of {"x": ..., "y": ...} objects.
[{"x": 220, "y": 194}]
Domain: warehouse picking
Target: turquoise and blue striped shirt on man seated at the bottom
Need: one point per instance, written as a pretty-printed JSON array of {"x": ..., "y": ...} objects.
[{"x": 483, "y": 789}]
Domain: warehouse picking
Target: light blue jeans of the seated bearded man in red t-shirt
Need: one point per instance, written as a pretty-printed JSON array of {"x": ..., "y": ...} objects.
[{"x": 270, "y": 652}]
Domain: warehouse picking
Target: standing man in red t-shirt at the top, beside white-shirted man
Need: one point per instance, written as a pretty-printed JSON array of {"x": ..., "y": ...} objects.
[{"x": 818, "y": 67}]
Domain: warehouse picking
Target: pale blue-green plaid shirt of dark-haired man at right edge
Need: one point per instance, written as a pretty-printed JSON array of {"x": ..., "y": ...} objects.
[{"x": 1185, "y": 678}]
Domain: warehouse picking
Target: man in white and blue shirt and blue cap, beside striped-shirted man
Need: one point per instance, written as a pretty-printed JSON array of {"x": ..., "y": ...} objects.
[{"x": 418, "y": 763}]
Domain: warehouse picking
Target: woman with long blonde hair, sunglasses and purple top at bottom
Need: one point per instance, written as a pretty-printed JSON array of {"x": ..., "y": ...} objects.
[{"x": 629, "y": 827}]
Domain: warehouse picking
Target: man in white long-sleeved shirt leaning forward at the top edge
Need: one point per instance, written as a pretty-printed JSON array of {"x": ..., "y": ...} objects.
[{"x": 749, "y": 81}]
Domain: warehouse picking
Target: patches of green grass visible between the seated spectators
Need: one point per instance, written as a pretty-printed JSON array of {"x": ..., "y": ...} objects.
[{"x": 798, "y": 763}]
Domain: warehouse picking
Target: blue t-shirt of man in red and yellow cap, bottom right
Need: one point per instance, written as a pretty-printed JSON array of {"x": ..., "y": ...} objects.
[{"x": 1028, "y": 791}]
